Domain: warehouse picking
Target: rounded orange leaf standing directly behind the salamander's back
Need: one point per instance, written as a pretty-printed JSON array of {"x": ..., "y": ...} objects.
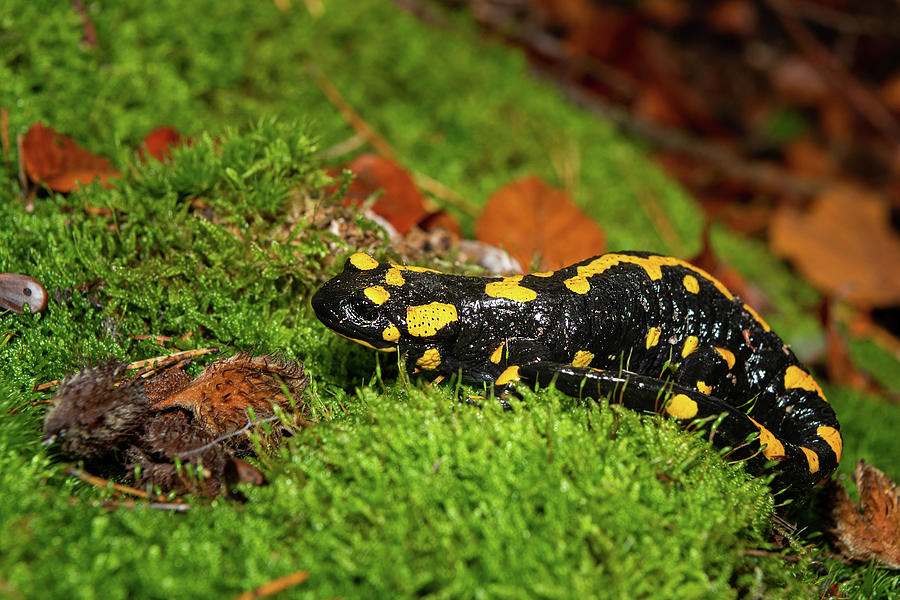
[{"x": 528, "y": 217}]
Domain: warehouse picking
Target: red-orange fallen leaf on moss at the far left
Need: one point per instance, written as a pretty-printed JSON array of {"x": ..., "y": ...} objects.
[{"x": 59, "y": 163}]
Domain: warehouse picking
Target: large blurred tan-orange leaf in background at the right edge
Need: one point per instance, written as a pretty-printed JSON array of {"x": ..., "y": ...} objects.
[{"x": 844, "y": 245}]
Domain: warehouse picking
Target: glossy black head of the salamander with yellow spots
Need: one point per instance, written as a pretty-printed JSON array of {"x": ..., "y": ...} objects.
[{"x": 378, "y": 304}]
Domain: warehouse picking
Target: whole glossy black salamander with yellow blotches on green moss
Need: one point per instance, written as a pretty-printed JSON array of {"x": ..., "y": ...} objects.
[{"x": 653, "y": 333}]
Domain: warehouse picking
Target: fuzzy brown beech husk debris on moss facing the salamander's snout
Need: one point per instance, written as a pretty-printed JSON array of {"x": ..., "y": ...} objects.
[{"x": 174, "y": 432}]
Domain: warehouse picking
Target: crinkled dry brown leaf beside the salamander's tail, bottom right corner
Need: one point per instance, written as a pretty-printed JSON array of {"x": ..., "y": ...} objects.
[{"x": 870, "y": 529}]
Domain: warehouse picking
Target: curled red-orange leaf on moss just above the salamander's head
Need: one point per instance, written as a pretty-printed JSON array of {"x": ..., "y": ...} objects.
[{"x": 400, "y": 203}]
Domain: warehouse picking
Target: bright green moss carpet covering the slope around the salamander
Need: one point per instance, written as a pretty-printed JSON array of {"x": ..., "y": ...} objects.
[{"x": 398, "y": 490}]
